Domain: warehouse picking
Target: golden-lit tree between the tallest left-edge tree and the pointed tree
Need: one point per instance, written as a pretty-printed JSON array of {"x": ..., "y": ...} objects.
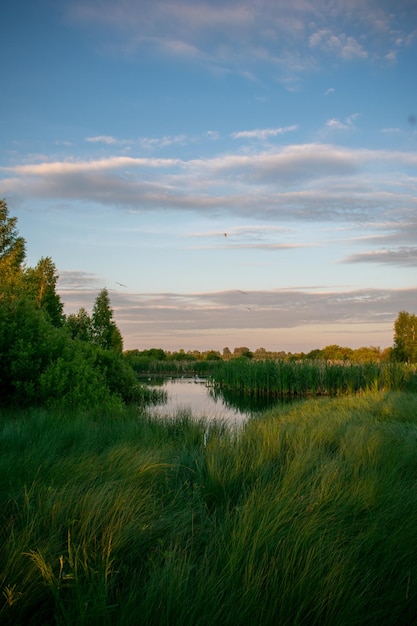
[{"x": 41, "y": 283}]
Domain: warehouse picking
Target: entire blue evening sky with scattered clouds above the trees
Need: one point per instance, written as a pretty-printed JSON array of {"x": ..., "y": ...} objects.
[{"x": 235, "y": 173}]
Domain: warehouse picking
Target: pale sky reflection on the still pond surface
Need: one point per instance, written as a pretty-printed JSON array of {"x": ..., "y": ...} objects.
[{"x": 192, "y": 395}]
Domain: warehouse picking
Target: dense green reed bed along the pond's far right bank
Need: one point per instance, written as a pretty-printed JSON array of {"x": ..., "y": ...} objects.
[{"x": 289, "y": 379}]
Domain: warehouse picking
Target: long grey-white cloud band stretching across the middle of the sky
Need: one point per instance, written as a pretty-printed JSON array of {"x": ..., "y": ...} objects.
[{"x": 307, "y": 181}]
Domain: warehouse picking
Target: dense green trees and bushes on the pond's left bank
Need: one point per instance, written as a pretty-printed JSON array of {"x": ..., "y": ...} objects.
[{"x": 47, "y": 358}]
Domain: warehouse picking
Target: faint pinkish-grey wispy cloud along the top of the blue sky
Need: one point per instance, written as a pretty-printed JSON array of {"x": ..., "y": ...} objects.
[{"x": 240, "y": 35}]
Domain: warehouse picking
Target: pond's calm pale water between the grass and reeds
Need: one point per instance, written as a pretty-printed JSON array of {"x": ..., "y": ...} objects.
[{"x": 196, "y": 396}]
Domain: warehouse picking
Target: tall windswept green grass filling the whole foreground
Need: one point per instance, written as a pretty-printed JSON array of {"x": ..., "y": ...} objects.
[{"x": 305, "y": 516}]
